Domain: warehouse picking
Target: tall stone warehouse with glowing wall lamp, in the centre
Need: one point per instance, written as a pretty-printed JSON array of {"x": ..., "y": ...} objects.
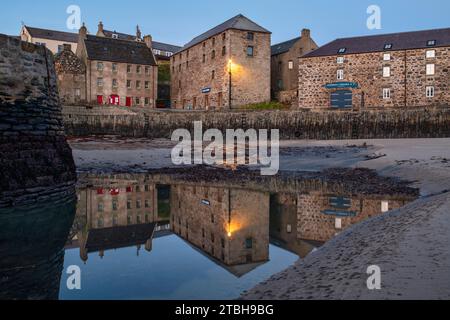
[{"x": 227, "y": 66}]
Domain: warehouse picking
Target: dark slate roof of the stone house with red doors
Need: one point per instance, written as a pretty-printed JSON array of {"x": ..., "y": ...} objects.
[{"x": 121, "y": 51}]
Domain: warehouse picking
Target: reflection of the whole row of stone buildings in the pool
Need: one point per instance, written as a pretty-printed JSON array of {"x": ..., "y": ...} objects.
[{"x": 230, "y": 222}]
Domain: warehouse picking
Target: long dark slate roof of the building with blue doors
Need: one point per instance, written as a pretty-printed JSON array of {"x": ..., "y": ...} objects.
[{"x": 399, "y": 41}]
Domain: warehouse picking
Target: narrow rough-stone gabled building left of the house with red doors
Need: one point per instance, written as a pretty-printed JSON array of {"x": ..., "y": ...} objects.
[{"x": 71, "y": 73}]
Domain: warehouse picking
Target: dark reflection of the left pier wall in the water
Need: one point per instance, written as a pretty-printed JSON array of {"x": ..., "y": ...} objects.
[{"x": 32, "y": 243}]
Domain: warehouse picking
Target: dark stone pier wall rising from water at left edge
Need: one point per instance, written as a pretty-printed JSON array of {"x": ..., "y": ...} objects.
[{"x": 35, "y": 160}]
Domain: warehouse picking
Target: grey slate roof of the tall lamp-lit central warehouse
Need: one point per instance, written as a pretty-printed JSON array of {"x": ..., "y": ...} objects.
[{"x": 239, "y": 22}]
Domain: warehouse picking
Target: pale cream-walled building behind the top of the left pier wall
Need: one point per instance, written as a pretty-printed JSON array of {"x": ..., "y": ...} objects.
[{"x": 52, "y": 39}]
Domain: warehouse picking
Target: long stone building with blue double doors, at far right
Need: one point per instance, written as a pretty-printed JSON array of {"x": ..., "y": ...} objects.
[{"x": 408, "y": 69}]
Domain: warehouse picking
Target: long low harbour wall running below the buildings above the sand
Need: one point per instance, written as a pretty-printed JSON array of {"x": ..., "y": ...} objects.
[{"x": 388, "y": 123}]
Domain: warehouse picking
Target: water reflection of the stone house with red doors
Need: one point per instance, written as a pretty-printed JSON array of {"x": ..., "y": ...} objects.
[{"x": 117, "y": 213}]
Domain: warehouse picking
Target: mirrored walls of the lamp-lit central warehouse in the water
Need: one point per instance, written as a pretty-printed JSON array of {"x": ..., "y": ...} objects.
[{"x": 230, "y": 225}]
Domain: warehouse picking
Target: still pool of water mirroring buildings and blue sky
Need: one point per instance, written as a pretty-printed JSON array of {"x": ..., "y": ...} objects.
[{"x": 174, "y": 236}]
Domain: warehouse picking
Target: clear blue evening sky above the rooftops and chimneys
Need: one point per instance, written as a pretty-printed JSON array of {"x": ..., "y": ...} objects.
[{"x": 178, "y": 21}]
